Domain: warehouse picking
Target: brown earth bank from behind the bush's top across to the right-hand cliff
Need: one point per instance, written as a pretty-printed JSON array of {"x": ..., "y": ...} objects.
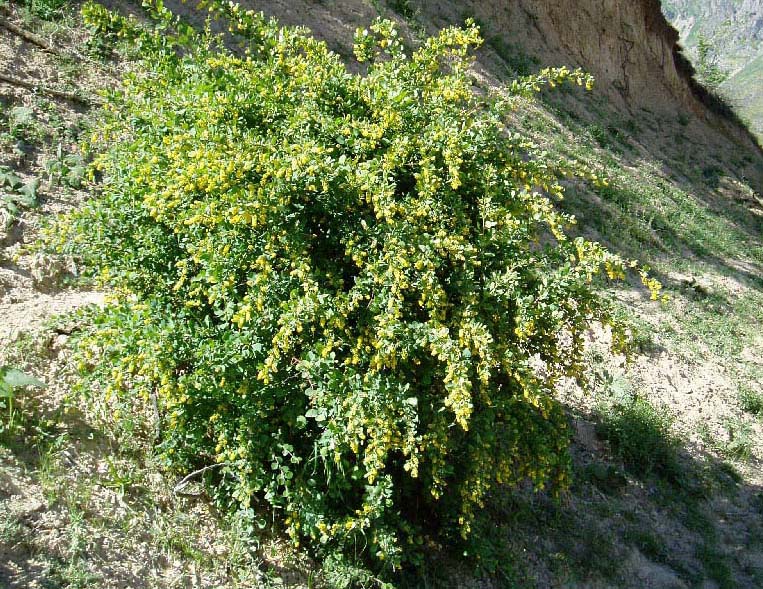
[{"x": 629, "y": 47}]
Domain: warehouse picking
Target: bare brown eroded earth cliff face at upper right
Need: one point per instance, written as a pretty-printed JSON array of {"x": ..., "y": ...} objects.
[{"x": 632, "y": 51}]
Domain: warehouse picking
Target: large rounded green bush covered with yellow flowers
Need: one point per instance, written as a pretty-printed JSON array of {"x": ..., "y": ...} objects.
[{"x": 351, "y": 292}]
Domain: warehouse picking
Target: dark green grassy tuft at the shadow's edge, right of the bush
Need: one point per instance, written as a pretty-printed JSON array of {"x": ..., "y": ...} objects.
[{"x": 641, "y": 437}]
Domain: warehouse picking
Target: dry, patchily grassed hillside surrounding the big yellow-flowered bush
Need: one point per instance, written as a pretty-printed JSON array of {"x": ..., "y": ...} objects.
[{"x": 667, "y": 449}]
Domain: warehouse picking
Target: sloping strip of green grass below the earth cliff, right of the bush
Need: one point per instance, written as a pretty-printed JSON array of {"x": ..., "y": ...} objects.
[{"x": 644, "y": 212}]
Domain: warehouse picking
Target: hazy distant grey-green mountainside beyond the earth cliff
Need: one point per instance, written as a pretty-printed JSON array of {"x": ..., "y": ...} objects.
[{"x": 735, "y": 29}]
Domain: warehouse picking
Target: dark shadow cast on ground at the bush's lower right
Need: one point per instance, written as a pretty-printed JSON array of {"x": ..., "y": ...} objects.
[{"x": 652, "y": 514}]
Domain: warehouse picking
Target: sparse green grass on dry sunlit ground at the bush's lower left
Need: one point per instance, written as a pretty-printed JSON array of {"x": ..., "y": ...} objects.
[{"x": 111, "y": 499}]
